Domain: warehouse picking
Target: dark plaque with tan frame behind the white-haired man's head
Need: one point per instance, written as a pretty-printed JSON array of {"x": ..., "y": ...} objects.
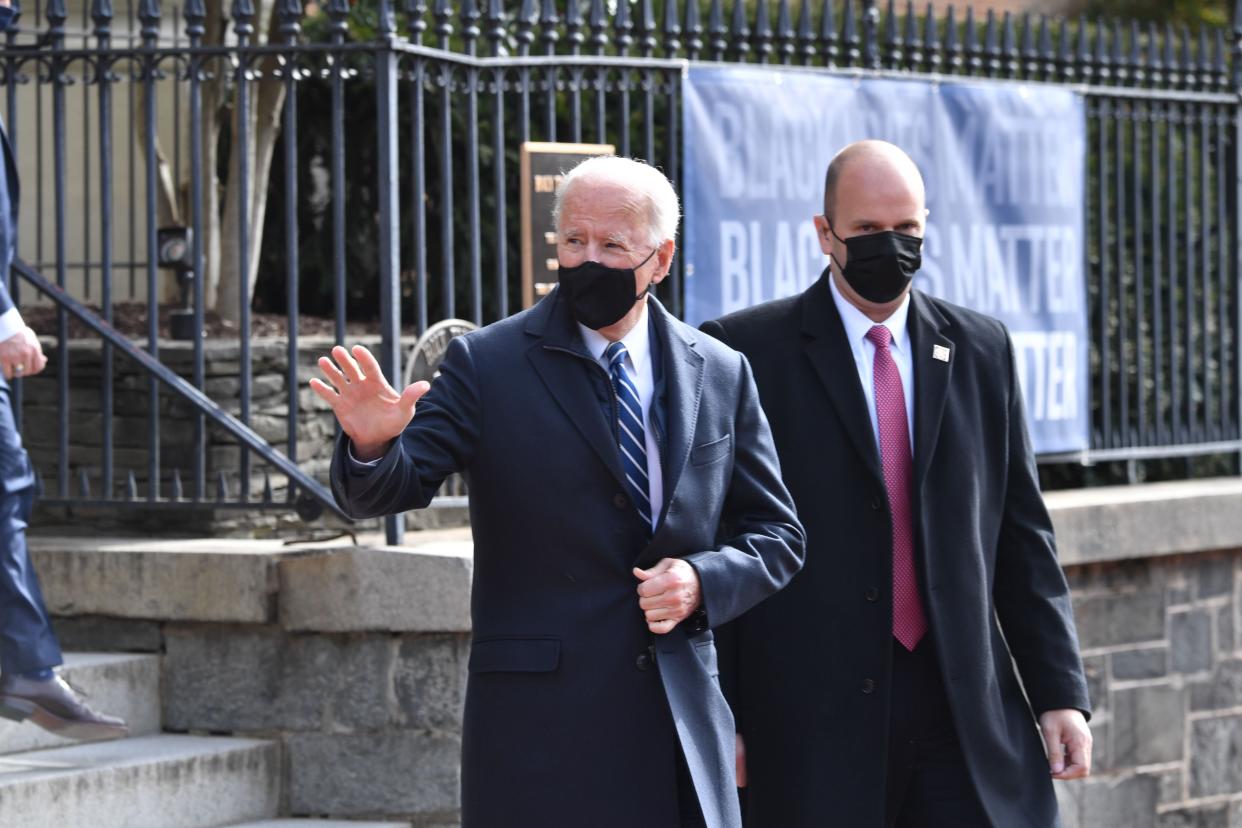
[{"x": 543, "y": 164}]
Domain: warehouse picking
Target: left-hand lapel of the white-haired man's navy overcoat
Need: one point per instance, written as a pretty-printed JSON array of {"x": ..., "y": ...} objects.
[{"x": 562, "y": 362}]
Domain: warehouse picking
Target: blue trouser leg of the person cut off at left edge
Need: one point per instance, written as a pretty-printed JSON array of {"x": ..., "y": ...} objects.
[{"x": 27, "y": 640}]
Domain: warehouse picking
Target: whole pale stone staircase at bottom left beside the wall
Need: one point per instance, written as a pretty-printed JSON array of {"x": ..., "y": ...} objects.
[{"x": 152, "y": 779}]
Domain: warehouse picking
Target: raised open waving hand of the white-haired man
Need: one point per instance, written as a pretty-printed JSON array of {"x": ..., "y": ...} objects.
[{"x": 371, "y": 412}]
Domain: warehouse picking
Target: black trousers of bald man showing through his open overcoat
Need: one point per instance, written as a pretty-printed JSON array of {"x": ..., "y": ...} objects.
[{"x": 930, "y": 785}]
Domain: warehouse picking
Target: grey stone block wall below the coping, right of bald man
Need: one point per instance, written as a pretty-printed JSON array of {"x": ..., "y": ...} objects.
[{"x": 1161, "y": 644}]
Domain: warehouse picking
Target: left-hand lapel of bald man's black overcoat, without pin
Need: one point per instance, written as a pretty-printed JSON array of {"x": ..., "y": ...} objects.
[{"x": 830, "y": 354}]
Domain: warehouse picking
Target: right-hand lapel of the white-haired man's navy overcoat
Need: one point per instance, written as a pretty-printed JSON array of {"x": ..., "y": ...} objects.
[{"x": 682, "y": 392}]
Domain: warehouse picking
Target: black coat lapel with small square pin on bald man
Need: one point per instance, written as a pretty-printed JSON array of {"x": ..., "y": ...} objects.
[{"x": 928, "y": 342}]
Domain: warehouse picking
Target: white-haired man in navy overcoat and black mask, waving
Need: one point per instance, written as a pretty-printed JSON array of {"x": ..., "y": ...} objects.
[{"x": 625, "y": 498}]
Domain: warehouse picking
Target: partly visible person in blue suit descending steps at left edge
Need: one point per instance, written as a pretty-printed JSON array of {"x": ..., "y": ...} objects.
[{"x": 30, "y": 688}]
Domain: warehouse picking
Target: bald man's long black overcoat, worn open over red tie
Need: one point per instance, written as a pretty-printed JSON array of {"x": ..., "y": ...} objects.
[{"x": 808, "y": 672}]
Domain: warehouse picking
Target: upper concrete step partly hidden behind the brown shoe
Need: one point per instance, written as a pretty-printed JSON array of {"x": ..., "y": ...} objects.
[{"x": 115, "y": 683}]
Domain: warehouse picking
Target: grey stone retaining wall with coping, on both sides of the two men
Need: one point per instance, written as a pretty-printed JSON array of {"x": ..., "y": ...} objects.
[{"x": 356, "y": 659}]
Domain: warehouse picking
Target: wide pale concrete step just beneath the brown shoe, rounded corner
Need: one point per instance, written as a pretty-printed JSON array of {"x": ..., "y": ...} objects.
[{"x": 167, "y": 781}]
